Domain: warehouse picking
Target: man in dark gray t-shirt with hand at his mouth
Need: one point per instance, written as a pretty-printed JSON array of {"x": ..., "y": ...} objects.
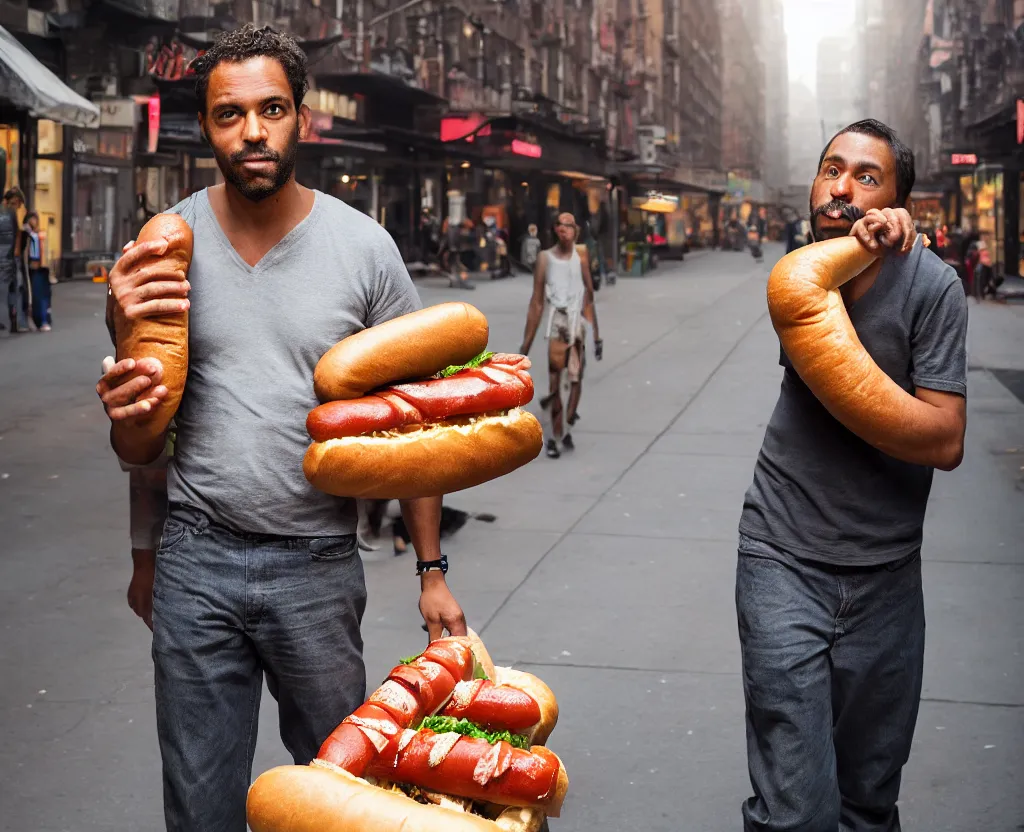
[{"x": 829, "y": 592}]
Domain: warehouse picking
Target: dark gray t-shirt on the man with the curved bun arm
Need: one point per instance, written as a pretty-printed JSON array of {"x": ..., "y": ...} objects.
[{"x": 822, "y": 493}]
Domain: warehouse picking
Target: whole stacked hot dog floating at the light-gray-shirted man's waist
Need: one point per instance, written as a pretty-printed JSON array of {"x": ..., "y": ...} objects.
[{"x": 417, "y": 408}]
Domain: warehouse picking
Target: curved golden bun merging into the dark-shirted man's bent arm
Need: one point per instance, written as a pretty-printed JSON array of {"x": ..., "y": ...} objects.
[{"x": 815, "y": 328}]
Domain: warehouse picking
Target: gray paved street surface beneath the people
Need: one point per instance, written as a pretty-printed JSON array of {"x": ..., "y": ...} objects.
[{"x": 609, "y": 573}]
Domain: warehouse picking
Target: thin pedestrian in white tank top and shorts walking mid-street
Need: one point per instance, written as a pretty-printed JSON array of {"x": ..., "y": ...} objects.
[{"x": 563, "y": 279}]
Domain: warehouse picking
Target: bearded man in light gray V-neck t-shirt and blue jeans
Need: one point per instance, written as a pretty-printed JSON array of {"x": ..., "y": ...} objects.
[{"x": 258, "y": 572}]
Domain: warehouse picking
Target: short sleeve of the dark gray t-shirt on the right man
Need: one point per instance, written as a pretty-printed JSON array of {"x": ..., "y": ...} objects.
[{"x": 938, "y": 346}]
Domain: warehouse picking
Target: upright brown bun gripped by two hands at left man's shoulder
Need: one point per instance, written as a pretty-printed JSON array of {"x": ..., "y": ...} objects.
[{"x": 164, "y": 339}]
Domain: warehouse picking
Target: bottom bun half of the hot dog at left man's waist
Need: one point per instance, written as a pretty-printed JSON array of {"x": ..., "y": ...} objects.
[{"x": 438, "y": 460}]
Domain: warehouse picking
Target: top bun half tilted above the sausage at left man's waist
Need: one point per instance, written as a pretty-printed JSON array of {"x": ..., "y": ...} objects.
[{"x": 412, "y": 347}]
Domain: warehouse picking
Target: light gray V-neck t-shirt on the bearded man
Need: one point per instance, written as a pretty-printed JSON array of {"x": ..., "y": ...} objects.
[{"x": 255, "y": 336}]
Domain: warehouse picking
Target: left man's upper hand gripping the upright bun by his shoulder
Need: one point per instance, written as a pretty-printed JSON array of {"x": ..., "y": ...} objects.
[{"x": 148, "y": 290}]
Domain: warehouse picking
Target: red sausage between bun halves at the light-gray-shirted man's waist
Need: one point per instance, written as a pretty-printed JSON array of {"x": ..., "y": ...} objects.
[{"x": 493, "y": 387}]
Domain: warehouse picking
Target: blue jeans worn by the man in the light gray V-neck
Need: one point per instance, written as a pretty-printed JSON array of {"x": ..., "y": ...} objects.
[{"x": 229, "y": 608}]
